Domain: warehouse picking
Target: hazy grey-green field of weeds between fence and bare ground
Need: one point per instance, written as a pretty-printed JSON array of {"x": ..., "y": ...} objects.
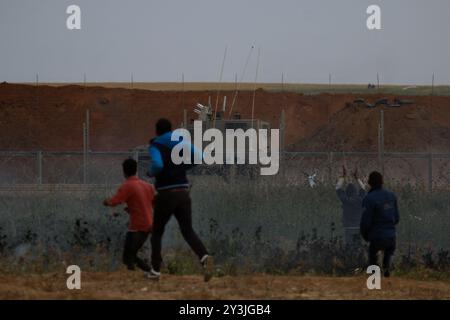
[{"x": 250, "y": 225}]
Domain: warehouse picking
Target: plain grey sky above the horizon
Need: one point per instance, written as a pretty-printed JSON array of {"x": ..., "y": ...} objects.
[{"x": 157, "y": 40}]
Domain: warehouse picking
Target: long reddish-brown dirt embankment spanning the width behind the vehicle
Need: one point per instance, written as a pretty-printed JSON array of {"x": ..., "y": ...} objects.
[{"x": 50, "y": 118}]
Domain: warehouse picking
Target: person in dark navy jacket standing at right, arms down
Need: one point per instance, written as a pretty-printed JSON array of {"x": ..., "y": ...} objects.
[{"x": 378, "y": 222}]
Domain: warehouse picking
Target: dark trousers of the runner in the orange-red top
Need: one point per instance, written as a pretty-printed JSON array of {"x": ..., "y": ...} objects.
[{"x": 133, "y": 243}]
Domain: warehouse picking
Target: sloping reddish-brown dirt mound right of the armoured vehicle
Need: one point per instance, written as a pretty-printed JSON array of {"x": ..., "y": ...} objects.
[{"x": 412, "y": 128}]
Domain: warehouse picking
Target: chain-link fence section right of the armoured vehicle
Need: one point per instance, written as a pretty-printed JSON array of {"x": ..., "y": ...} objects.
[{"x": 402, "y": 168}]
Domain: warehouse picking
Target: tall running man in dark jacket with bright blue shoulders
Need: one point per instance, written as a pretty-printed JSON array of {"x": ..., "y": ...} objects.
[{"x": 173, "y": 197}]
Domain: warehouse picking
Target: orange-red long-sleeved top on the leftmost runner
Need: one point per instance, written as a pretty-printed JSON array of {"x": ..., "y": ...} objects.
[{"x": 138, "y": 195}]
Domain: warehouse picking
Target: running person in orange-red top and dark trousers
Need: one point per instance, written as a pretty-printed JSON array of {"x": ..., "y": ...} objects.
[{"x": 138, "y": 195}]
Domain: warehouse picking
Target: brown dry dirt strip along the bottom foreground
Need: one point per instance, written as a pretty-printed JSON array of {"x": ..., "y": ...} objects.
[{"x": 122, "y": 285}]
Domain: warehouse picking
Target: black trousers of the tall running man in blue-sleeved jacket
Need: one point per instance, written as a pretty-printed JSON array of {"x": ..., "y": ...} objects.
[{"x": 177, "y": 203}]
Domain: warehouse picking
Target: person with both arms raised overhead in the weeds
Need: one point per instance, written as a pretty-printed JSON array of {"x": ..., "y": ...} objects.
[{"x": 351, "y": 197}]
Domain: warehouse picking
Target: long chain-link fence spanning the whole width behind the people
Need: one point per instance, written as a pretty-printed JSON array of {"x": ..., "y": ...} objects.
[{"x": 418, "y": 169}]
